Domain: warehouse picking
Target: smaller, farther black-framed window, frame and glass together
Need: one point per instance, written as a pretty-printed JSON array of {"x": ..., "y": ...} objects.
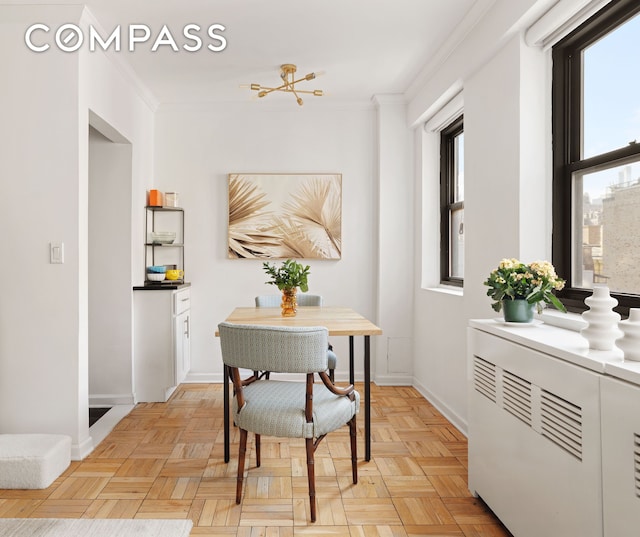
[{"x": 452, "y": 204}]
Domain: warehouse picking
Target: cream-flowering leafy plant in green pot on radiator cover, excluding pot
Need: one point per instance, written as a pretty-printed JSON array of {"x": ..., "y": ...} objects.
[{"x": 534, "y": 282}]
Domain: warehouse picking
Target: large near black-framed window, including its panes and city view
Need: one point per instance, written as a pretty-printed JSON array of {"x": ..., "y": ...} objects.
[{"x": 596, "y": 156}]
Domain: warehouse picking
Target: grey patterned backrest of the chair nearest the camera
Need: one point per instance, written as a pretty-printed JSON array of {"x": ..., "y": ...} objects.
[{"x": 274, "y": 348}]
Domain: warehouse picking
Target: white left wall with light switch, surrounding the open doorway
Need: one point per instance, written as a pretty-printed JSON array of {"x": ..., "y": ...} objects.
[{"x": 44, "y": 142}]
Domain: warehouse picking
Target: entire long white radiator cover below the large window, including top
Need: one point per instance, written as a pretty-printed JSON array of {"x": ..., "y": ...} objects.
[{"x": 547, "y": 418}]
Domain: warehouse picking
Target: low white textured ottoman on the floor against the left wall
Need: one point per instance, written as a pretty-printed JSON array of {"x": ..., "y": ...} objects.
[{"x": 32, "y": 461}]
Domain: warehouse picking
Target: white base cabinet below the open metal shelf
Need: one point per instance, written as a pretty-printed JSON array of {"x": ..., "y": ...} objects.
[{"x": 162, "y": 352}]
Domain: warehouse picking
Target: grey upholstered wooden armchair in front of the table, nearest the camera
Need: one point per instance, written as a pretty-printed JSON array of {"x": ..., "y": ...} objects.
[{"x": 290, "y": 409}]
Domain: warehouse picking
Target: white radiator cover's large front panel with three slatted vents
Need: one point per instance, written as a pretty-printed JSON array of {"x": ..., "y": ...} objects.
[{"x": 534, "y": 438}]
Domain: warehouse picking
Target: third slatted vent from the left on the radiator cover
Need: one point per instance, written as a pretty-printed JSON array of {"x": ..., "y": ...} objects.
[{"x": 561, "y": 422}]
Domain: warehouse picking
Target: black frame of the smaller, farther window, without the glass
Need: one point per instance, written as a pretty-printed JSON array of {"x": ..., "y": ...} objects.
[{"x": 447, "y": 193}]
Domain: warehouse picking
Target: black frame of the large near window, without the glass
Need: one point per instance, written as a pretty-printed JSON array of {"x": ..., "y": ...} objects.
[{"x": 567, "y": 132}]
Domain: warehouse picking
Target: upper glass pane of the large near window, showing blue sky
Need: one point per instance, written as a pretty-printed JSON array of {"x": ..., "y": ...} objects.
[{"x": 611, "y": 89}]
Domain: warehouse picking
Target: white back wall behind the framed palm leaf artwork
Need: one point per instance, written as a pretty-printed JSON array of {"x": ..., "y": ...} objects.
[{"x": 197, "y": 146}]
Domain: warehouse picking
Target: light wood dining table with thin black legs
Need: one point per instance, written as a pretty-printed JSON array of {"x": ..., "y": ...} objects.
[{"x": 339, "y": 321}]
